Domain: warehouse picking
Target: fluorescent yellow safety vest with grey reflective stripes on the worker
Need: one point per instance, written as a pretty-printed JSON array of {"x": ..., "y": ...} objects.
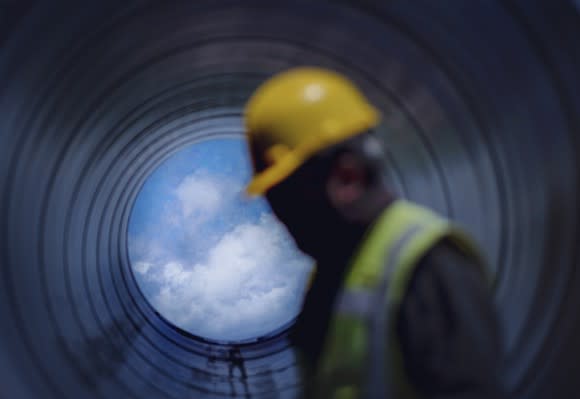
[{"x": 362, "y": 356}]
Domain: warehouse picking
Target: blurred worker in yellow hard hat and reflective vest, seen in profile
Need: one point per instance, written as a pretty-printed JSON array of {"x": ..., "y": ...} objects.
[{"x": 400, "y": 306}]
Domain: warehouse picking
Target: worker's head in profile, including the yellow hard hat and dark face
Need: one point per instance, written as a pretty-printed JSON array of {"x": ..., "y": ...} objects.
[{"x": 315, "y": 157}]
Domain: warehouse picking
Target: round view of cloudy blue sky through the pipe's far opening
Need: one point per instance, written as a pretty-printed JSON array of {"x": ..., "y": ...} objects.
[{"x": 209, "y": 259}]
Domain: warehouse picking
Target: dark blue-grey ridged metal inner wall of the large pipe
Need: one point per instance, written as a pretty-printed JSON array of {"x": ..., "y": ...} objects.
[{"x": 481, "y": 103}]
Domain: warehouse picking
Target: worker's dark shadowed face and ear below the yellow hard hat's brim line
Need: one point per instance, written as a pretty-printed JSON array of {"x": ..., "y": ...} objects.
[{"x": 321, "y": 199}]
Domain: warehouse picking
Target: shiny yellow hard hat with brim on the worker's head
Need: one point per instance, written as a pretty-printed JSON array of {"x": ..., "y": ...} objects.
[{"x": 298, "y": 113}]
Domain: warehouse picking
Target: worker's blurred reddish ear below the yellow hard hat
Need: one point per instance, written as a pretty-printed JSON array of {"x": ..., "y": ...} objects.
[{"x": 347, "y": 181}]
